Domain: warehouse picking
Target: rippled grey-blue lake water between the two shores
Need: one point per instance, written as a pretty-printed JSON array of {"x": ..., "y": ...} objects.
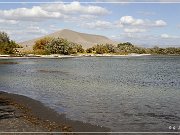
[{"x": 123, "y": 93}]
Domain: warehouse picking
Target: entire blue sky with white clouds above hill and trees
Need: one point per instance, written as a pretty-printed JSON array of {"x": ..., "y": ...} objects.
[{"x": 146, "y": 23}]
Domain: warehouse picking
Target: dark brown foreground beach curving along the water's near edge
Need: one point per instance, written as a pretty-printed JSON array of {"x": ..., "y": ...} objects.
[{"x": 38, "y": 116}]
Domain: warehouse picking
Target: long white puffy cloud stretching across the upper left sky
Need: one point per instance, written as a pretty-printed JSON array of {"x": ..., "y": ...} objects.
[{"x": 52, "y": 11}]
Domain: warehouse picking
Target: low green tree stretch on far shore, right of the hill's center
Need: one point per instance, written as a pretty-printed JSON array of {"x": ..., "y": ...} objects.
[{"x": 128, "y": 48}]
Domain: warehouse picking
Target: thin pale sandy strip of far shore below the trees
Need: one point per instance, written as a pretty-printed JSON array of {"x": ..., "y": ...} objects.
[{"x": 71, "y": 56}]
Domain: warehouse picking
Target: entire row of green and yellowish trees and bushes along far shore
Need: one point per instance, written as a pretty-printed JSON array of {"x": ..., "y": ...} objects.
[{"x": 49, "y": 45}]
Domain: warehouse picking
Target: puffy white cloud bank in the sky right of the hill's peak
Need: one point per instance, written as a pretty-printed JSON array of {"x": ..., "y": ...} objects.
[{"x": 128, "y": 23}]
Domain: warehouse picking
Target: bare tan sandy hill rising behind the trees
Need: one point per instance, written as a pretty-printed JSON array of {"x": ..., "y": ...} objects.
[{"x": 86, "y": 40}]
